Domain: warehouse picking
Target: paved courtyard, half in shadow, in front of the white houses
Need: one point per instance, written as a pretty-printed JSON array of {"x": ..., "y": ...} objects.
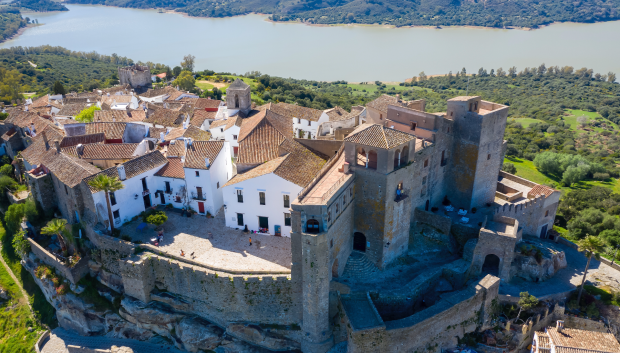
[{"x": 209, "y": 242}]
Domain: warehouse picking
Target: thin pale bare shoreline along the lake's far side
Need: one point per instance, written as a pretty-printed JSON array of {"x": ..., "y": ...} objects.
[{"x": 184, "y": 14}]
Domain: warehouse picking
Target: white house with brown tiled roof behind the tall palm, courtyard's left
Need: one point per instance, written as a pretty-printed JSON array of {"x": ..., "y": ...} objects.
[{"x": 138, "y": 178}]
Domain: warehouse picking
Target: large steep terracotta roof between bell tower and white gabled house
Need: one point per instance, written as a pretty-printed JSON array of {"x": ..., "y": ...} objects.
[{"x": 260, "y": 137}]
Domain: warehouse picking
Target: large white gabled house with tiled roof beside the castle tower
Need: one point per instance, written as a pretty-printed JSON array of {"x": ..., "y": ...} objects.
[{"x": 261, "y": 197}]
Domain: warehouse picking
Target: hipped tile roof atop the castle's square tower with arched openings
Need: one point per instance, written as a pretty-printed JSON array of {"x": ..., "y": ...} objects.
[{"x": 375, "y": 135}]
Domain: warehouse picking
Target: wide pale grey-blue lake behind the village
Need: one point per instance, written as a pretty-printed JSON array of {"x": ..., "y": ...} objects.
[{"x": 352, "y": 53}]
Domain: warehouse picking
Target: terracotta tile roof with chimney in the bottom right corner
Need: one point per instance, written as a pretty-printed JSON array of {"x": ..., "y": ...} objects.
[{"x": 583, "y": 340}]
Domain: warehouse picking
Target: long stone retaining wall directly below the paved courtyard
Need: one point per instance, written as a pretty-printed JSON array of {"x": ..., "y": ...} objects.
[{"x": 216, "y": 296}]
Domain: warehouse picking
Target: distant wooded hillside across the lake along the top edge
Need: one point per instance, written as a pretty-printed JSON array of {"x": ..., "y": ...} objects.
[{"x": 489, "y": 13}]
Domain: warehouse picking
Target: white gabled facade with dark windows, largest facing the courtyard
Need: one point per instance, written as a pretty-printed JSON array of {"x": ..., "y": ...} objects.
[{"x": 274, "y": 187}]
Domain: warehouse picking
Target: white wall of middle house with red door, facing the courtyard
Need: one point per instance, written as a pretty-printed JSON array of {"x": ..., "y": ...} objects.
[{"x": 220, "y": 171}]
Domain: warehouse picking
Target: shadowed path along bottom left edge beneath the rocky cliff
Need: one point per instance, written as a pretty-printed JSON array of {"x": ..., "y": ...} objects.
[{"x": 59, "y": 339}]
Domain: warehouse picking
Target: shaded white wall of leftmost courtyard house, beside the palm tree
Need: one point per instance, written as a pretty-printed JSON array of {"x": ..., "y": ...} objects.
[{"x": 127, "y": 205}]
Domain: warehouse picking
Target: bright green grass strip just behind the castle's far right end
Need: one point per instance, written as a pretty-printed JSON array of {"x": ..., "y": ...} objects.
[{"x": 527, "y": 170}]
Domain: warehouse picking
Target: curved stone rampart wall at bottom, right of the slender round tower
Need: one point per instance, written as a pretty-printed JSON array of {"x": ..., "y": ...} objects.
[{"x": 434, "y": 328}]
